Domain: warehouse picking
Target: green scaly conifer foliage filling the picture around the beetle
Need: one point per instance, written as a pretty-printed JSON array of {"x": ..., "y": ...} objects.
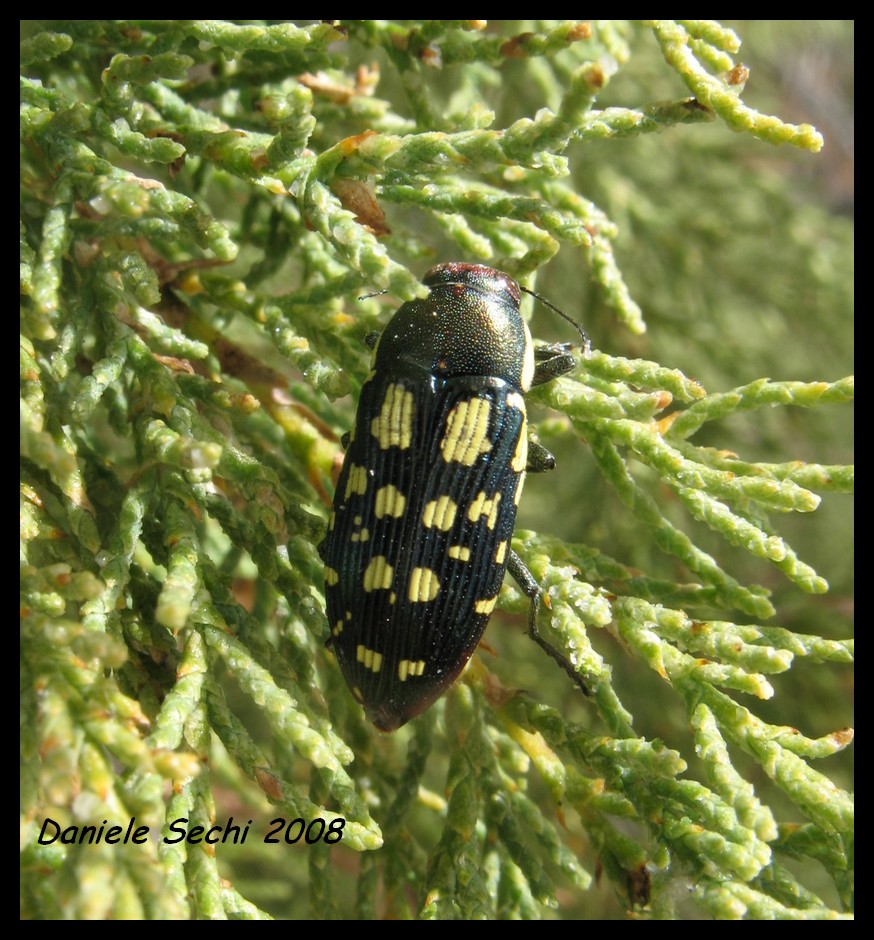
[{"x": 202, "y": 206}]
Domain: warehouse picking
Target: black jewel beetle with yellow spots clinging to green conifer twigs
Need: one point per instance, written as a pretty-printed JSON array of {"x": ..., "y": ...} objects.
[{"x": 419, "y": 537}]
